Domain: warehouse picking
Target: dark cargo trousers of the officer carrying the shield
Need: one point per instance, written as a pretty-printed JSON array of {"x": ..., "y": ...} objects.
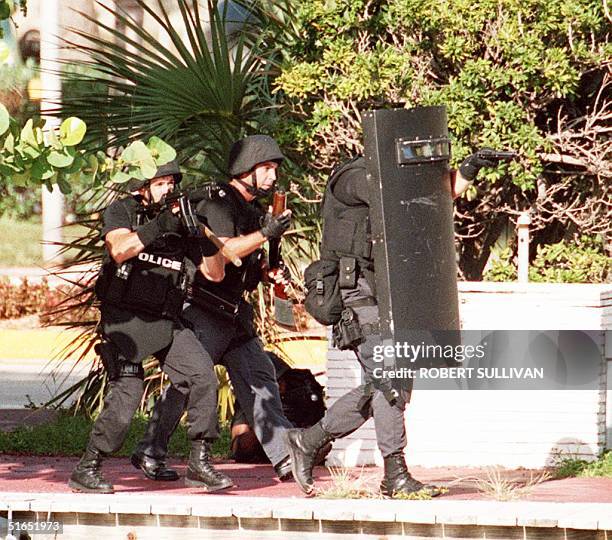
[{"x": 354, "y": 408}]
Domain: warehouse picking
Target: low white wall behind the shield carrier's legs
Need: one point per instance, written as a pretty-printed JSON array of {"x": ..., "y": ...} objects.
[{"x": 510, "y": 428}]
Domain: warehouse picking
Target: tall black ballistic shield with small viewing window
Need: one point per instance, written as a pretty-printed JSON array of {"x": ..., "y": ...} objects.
[{"x": 407, "y": 154}]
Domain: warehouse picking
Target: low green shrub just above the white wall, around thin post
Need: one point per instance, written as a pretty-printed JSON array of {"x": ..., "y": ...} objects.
[{"x": 583, "y": 261}]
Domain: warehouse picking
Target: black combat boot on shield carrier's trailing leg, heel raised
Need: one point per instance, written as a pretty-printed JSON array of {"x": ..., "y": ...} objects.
[{"x": 303, "y": 446}]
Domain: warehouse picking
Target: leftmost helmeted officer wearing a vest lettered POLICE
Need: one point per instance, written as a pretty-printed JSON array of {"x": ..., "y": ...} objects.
[{"x": 141, "y": 292}]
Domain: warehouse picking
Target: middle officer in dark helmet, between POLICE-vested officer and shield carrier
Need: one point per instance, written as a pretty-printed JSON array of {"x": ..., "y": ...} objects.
[{"x": 218, "y": 314}]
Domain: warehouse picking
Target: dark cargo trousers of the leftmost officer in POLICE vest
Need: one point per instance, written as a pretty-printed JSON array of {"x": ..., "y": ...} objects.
[{"x": 191, "y": 376}]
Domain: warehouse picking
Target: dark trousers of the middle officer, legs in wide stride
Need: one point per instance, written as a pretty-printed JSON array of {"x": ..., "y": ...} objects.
[{"x": 253, "y": 380}]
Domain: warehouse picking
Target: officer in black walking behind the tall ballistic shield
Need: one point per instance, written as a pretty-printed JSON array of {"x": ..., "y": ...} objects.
[{"x": 347, "y": 201}]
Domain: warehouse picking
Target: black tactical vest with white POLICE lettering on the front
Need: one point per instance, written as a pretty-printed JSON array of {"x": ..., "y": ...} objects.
[{"x": 153, "y": 282}]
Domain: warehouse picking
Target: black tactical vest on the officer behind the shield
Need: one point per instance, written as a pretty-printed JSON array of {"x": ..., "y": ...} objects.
[{"x": 346, "y": 229}]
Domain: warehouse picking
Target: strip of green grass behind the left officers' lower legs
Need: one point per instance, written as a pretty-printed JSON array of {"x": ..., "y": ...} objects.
[{"x": 68, "y": 436}]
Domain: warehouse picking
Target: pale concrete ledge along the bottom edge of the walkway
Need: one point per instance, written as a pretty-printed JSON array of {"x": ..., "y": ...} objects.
[{"x": 474, "y": 518}]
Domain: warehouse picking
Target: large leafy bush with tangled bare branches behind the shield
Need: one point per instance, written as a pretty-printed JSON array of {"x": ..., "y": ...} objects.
[{"x": 511, "y": 75}]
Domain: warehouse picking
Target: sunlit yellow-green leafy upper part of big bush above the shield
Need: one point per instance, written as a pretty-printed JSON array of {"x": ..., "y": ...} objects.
[{"x": 486, "y": 61}]
